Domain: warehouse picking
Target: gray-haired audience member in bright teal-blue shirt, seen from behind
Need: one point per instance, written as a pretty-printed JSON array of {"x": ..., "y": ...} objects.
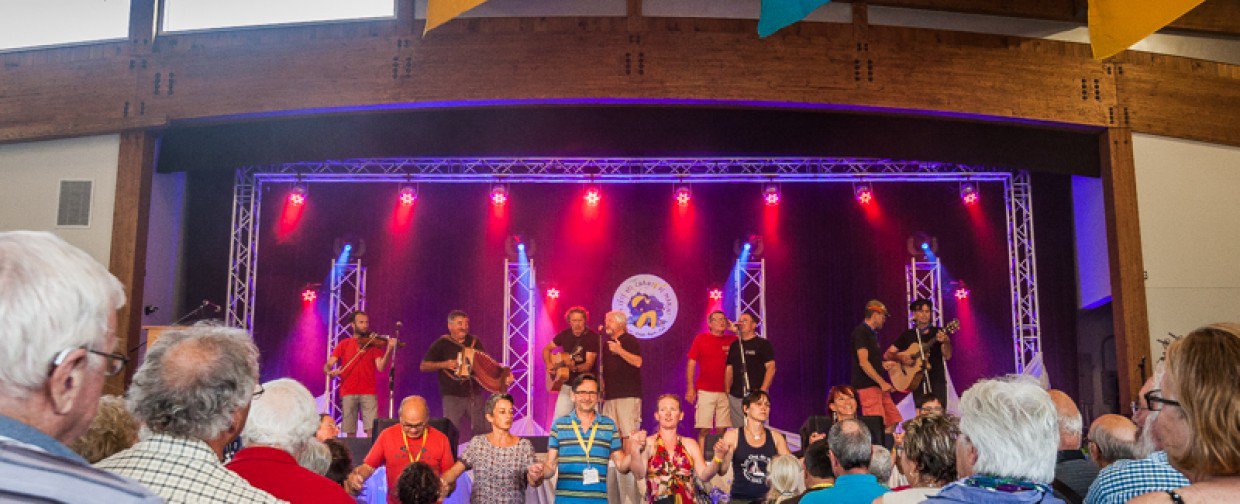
[{"x": 850, "y": 460}]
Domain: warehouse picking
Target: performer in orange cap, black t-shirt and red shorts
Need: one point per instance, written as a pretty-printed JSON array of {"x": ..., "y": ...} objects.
[{"x": 874, "y": 392}]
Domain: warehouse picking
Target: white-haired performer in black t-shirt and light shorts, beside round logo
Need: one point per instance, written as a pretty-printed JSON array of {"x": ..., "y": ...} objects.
[{"x": 622, "y": 393}]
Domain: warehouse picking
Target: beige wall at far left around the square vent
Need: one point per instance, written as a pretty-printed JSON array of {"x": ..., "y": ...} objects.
[{"x": 30, "y": 177}]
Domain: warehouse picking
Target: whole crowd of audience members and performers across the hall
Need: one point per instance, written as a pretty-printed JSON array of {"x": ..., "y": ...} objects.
[{"x": 174, "y": 436}]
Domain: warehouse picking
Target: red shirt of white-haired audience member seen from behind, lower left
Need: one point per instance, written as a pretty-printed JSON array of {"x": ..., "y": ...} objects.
[{"x": 276, "y": 472}]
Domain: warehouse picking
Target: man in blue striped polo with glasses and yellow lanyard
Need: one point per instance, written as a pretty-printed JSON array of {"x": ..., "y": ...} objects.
[{"x": 580, "y": 448}]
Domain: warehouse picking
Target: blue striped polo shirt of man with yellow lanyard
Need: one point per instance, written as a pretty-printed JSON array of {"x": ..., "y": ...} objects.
[{"x": 573, "y": 459}]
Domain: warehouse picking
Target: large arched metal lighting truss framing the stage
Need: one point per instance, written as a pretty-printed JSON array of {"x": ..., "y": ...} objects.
[{"x": 247, "y": 202}]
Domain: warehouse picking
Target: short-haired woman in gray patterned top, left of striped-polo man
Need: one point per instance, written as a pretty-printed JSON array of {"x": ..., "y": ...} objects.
[{"x": 500, "y": 461}]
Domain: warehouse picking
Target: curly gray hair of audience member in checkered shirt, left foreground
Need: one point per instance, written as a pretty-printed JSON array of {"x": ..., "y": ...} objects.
[{"x": 194, "y": 380}]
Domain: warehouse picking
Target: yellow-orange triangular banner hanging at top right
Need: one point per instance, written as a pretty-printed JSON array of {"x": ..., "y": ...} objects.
[{"x": 1117, "y": 25}]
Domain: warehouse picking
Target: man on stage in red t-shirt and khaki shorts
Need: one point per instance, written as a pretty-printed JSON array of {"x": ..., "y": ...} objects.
[{"x": 709, "y": 357}]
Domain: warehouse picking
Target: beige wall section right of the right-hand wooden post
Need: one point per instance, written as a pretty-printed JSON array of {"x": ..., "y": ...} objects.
[{"x": 1190, "y": 203}]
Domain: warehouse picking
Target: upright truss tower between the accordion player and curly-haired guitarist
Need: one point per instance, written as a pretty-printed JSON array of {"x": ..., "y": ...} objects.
[{"x": 519, "y": 333}]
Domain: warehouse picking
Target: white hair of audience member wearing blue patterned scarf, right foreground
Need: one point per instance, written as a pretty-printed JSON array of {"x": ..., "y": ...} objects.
[{"x": 1014, "y": 426}]
